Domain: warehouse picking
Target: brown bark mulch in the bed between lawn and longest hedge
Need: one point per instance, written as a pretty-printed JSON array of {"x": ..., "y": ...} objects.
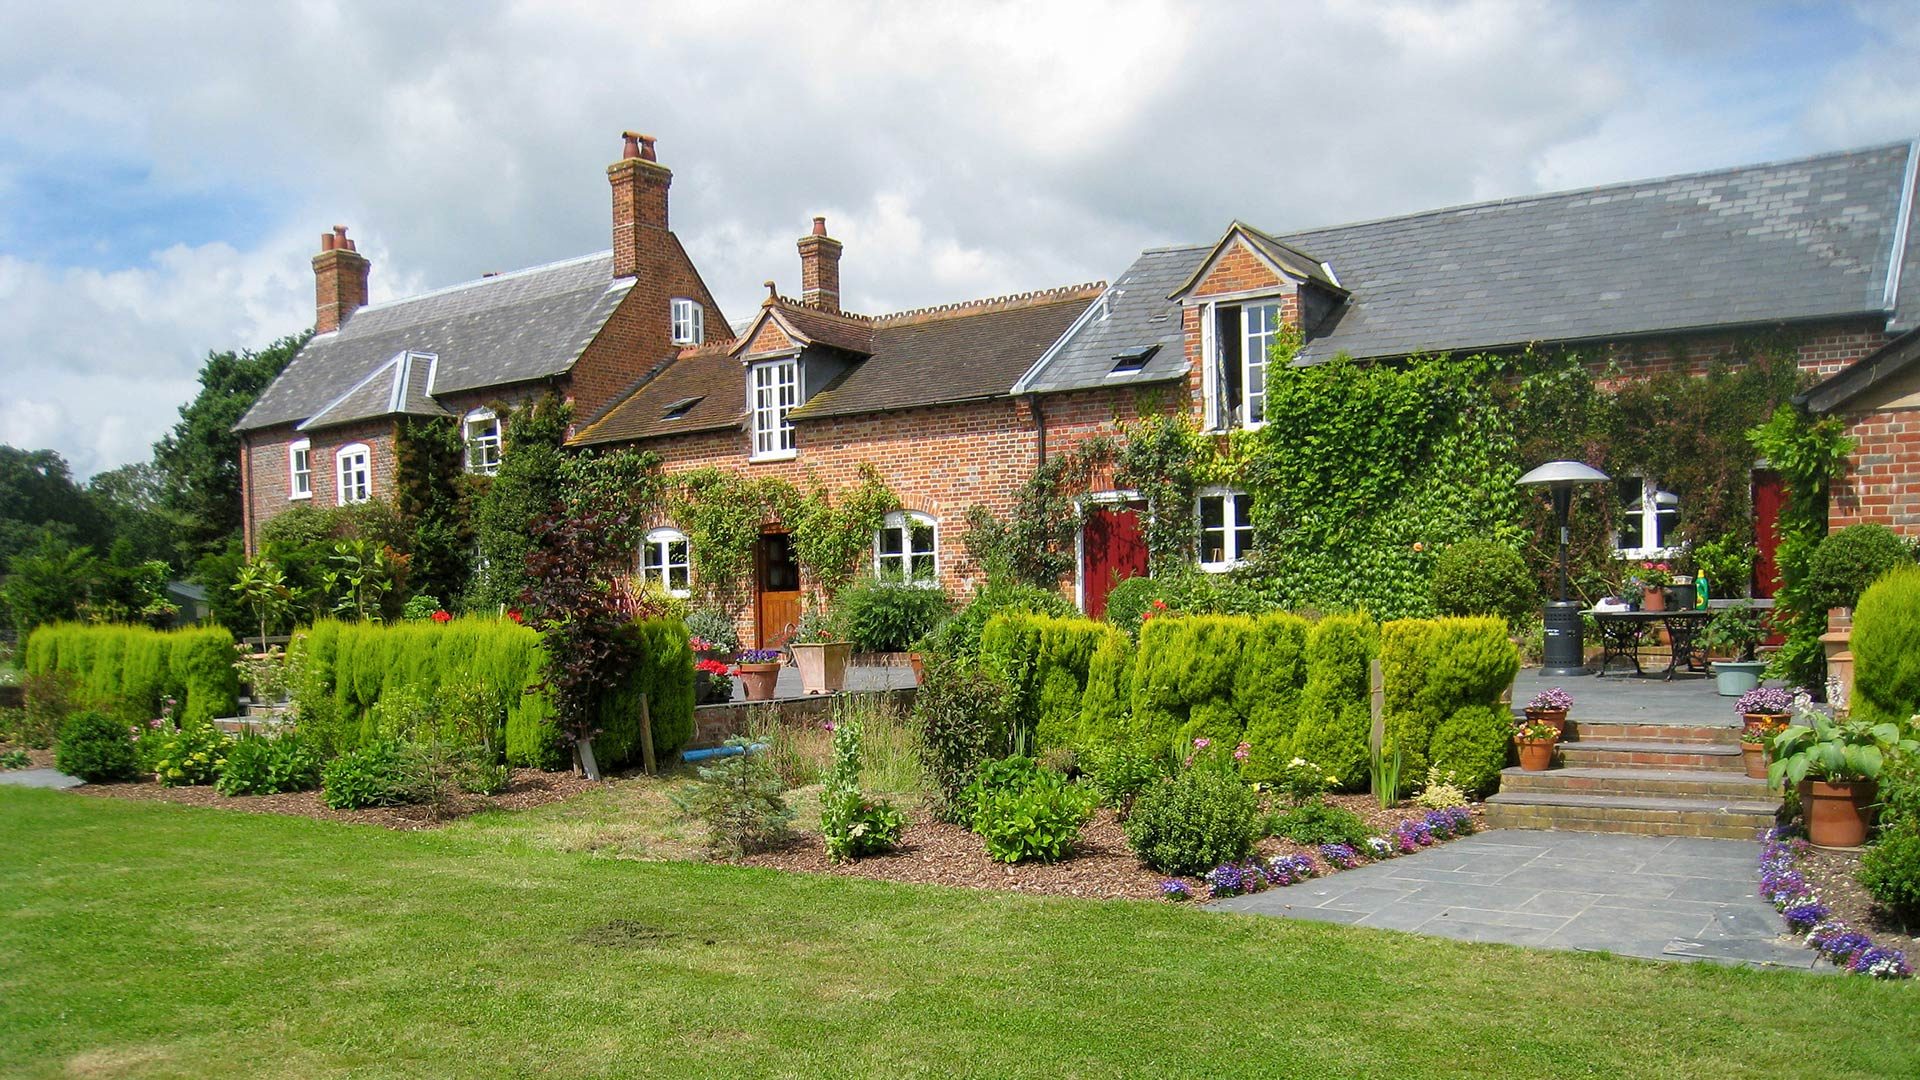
[{"x": 934, "y": 852}]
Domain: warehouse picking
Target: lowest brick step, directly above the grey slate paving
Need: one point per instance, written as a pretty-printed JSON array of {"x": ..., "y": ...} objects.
[{"x": 1648, "y": 816}]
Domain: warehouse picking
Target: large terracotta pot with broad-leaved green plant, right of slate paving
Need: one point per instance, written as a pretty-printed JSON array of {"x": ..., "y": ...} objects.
[{"x": 1836, "y": 768}]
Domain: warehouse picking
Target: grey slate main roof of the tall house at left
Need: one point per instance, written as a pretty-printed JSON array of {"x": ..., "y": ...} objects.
[{"x": 494, "y": 331}]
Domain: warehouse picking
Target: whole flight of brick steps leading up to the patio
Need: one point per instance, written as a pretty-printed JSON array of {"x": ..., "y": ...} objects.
[{"x": 1646, "y": 779}]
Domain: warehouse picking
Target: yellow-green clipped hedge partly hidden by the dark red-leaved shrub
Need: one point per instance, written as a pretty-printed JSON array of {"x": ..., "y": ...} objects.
[{"x": 356, "y": 664}]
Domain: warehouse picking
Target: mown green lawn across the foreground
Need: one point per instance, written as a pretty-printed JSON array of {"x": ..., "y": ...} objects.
[{"x": 158, "y": 941}]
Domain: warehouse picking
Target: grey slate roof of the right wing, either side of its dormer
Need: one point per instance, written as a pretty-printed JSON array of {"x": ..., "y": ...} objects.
[{"x": 1760, "y": 245}]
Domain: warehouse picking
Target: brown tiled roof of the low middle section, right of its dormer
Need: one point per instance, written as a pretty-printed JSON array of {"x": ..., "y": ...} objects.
[{"x": 957, "y": 353}]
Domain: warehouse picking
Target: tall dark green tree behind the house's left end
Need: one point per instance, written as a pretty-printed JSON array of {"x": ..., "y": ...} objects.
[{"x": 201, "y": 456}]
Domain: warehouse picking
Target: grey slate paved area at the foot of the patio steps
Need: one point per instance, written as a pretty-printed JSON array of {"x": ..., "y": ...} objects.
[{"x": 1643, "y": 896}]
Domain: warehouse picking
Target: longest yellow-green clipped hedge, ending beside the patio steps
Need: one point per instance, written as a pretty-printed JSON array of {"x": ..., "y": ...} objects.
[{"x": 1285, "y": 687}]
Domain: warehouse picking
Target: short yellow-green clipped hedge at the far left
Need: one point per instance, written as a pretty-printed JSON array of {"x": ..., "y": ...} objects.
[{"x": 139, "y": 668}]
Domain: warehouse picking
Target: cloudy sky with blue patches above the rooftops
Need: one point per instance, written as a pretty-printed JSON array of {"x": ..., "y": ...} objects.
[{"x": 166, "y": 170}]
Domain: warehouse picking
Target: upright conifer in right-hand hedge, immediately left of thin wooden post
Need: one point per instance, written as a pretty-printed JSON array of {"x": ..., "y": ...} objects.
[{"x": 1335, "y": 714}]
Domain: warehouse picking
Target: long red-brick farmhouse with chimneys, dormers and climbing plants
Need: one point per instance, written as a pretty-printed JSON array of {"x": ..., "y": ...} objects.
[{"x": 957, "y": 405}]
